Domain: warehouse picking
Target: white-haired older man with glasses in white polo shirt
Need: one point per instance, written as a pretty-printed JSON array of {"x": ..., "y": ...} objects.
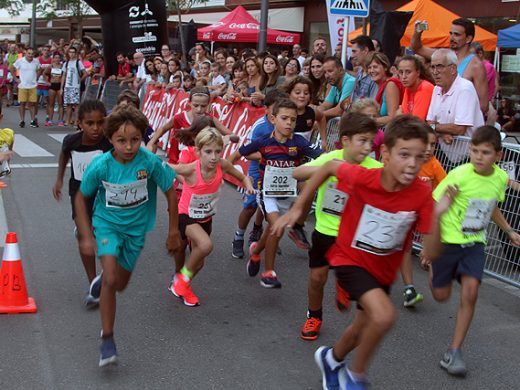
[{"x": 454, "y": 108}]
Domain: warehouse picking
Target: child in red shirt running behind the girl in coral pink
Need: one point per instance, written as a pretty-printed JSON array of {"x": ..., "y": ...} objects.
[{"x": 198, "y": 105}]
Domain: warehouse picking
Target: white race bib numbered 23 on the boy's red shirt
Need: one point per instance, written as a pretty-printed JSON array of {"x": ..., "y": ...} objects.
[{"x": 380, "y": 232}]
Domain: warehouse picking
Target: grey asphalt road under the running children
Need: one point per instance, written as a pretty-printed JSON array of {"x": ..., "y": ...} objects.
[{"x": 241, "y": 337}]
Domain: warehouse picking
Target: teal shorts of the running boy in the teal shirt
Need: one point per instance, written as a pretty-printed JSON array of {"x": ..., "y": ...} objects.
[{"x": 124, "y": 247}]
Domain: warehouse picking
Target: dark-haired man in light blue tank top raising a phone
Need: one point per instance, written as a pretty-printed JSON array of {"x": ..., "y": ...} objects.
[{"x": 469, "y": 66}]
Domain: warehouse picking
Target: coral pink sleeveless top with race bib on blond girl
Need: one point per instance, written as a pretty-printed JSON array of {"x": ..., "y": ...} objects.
[{"x": 198, "y": 200}]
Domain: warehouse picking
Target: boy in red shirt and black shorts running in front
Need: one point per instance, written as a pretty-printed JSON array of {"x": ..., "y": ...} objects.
[{"x": 384, "y": 206}]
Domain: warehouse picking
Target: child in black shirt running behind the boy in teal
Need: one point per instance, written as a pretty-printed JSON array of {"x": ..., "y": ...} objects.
[{"x": 80, "y": 149}]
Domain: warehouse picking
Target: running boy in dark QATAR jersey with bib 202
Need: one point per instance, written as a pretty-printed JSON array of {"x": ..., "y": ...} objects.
[{"x": 280, "y": 154}]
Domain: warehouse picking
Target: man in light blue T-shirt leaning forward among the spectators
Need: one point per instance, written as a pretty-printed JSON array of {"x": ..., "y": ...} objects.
[{"x": 342, "y": 85}]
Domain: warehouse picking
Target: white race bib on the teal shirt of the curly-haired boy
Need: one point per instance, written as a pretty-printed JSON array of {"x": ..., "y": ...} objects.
[{"x": 129, "y": 195}]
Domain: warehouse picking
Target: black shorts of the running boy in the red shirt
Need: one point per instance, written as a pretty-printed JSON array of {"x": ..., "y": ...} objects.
[{"x": 356, "y": 281}]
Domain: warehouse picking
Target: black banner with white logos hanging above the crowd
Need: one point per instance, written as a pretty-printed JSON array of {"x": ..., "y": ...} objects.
[{"x": 130, "y": 26}]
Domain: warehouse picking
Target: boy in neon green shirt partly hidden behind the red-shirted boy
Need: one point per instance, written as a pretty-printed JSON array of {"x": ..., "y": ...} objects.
[{"x": 357, "y": 132}]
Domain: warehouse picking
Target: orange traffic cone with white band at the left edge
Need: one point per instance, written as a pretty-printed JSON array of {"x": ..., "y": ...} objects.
[{"x": 13, "y": 293}]
